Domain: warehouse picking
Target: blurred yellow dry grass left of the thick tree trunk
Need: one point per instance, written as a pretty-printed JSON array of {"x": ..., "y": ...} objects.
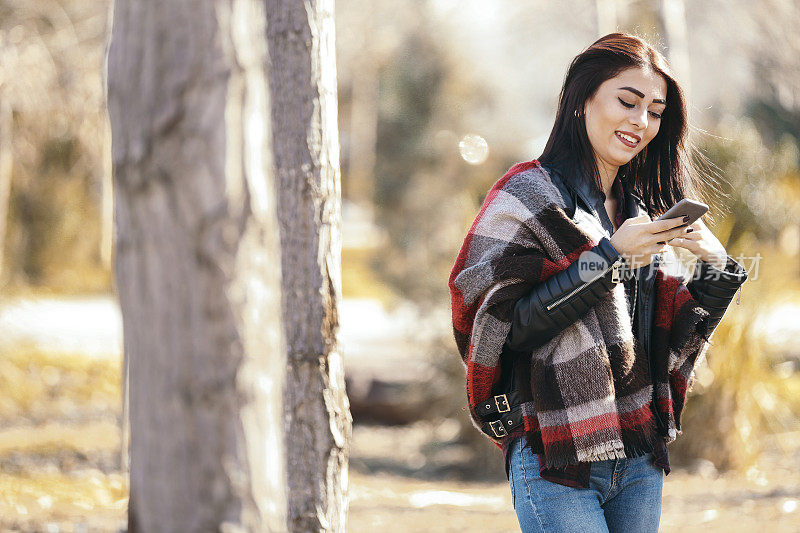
[{"x": 60, "y": 442}]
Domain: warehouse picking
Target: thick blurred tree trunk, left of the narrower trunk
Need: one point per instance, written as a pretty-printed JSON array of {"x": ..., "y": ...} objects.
[{"x": 198, "y": 265}]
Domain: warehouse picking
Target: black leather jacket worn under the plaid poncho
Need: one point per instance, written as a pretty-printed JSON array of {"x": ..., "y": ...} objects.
[{"x": 564, "y": 297}]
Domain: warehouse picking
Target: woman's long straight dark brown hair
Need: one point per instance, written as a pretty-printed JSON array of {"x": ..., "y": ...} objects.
[{"x": 662, "y": 172}]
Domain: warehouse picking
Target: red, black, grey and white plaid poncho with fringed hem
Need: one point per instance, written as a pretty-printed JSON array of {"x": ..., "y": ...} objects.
[{"x": 590, "y": 385}]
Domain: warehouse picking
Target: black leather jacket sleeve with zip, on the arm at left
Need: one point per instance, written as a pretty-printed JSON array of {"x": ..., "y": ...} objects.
[{"x": 533, "y": 324}]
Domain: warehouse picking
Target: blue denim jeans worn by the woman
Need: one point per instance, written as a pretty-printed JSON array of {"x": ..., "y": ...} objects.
[{"x": 623, "y": 495}]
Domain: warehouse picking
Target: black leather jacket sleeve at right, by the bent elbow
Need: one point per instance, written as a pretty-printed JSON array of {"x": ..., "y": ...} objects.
[{"x": 714, "y": 289}]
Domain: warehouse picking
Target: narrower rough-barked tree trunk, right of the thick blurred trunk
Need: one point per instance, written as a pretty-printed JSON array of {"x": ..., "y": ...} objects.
[{"x": 302, "y": 80}]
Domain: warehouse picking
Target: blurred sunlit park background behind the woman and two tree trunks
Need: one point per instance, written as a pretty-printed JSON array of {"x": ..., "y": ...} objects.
[{"x": 437, "y": 99}]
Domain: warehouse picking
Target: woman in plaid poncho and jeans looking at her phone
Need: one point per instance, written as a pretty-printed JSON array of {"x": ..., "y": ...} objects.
[{"x": 602, "y": 360}]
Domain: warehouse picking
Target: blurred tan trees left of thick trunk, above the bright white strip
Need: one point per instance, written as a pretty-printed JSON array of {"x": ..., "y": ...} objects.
[{"x": 58, "y": 232}]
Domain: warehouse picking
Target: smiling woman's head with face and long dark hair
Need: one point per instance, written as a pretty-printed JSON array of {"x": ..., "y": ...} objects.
[{"x": 618, "y": 95}]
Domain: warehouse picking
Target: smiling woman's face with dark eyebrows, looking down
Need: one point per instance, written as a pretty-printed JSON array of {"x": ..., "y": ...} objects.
[{"x": 623, "y": 116}]
